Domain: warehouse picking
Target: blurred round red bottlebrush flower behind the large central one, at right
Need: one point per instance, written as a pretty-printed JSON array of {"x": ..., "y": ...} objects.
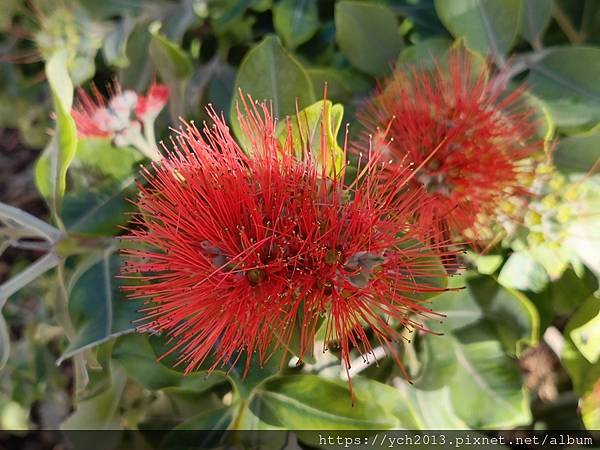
[{"x": 468, "y": 141}]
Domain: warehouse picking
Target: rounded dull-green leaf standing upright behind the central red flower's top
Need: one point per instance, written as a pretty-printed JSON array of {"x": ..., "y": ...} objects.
[{"x": 269, "y": 73}]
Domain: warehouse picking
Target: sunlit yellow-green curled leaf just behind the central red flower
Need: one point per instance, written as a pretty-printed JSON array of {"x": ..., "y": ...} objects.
[{"x": 307, "y": 130}]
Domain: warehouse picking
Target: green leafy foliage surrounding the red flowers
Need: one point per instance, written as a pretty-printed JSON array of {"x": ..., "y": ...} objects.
[{"x": 520, "y": 345}]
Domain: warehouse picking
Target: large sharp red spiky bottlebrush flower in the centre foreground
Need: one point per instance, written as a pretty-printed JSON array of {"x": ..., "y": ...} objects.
[{"x": 239, "y": 251}]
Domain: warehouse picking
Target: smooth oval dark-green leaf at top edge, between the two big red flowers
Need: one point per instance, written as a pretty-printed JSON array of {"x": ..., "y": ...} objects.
[{"x": 367, "y": 35}]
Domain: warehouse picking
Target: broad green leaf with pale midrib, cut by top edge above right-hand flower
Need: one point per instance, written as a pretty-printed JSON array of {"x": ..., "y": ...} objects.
[{"x": 488, "y": 26}]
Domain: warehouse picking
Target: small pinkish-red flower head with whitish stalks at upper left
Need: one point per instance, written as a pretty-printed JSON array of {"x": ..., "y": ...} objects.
[{"x": 125, "y": 117}]
